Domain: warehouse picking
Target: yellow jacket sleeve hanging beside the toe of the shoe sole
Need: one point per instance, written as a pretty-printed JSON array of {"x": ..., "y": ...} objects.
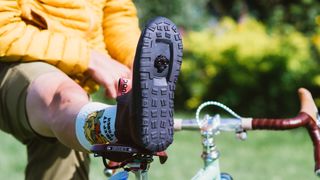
[{"x": 121, "y": 30}]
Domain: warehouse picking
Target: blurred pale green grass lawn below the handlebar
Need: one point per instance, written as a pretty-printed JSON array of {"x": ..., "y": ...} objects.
[{"x": 264, "y": 156}]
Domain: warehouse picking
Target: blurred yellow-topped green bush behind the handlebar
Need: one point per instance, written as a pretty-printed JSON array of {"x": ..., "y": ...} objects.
[{"x": 244, "y": 66}]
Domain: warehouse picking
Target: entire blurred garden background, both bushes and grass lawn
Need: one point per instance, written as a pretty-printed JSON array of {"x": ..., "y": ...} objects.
[{"x": 251, "y": 56}]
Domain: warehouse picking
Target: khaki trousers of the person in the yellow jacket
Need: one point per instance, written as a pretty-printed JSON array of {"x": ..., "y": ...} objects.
[{"x": 47, "y": 157}]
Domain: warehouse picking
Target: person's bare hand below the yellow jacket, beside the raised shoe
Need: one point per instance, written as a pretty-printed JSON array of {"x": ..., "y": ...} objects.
[{"x": 107, "y": 71}]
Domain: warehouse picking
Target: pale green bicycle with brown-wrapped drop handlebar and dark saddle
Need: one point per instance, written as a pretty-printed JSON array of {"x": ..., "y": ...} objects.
[{"x": 138, "y": 161}]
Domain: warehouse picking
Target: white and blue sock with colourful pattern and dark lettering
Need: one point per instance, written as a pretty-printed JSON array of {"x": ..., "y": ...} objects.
[{"x": 95, "y": 124}]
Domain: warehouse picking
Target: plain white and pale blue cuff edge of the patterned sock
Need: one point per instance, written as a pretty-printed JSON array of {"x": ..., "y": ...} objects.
[{"x": 81, "y": 120}]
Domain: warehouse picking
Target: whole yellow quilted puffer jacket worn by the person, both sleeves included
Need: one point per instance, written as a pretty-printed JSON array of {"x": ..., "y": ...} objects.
[{"x": 63, "y": 32}]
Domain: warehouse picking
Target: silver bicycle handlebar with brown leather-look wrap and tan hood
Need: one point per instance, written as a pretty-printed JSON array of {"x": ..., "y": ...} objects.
[{"x": 307, "y": 117}]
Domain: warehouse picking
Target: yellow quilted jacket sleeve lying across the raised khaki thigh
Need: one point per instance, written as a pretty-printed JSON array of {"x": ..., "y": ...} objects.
[{"x": 23, "y": 41}]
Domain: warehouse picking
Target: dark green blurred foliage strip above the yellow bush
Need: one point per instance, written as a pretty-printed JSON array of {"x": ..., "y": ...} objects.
[{"x": 196, "y": 13}]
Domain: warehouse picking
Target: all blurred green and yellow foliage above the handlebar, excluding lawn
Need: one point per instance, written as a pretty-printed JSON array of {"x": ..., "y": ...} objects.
[{"x": 250, "y": 55}]
